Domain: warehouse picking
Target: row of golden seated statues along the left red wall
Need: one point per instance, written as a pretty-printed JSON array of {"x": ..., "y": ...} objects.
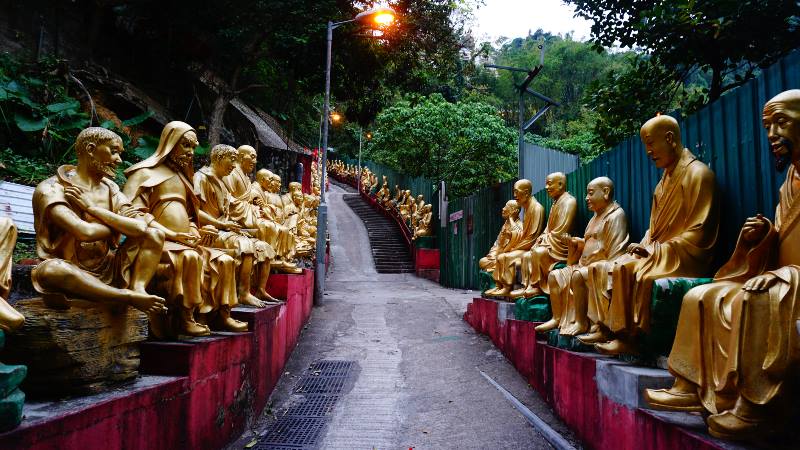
[{"x": 179, "y": 247}]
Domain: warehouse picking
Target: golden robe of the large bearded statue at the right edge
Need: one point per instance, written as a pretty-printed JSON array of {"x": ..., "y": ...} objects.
[{"x": 733, "y": 342}]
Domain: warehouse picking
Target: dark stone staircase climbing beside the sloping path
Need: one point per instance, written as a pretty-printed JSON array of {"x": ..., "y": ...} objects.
[{"x": 389, "y": 251}]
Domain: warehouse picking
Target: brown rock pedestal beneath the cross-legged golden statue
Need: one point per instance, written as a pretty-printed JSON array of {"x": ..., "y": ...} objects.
[{"x": 81, "y": 350}]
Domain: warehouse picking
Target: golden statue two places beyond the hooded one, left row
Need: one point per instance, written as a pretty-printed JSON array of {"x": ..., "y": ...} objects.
[{"x": 249, "y": 216}]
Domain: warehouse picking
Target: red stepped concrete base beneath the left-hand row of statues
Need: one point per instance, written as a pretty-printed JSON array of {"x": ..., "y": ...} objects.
[{"x": 198, "y": 393}]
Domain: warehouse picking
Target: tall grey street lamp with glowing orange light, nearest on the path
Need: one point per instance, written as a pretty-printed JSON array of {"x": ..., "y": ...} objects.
[{"x": 379, "y": 17}]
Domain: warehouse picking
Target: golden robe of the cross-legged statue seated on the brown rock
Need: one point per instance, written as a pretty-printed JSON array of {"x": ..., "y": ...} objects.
[{"x": 106, "y": 259}]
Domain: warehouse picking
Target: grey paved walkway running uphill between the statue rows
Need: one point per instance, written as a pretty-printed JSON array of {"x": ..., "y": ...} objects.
[{"x": 418, "y": 383}]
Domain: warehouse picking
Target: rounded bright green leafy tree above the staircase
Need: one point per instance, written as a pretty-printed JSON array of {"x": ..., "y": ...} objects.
[{"x": 466, "y": 143}]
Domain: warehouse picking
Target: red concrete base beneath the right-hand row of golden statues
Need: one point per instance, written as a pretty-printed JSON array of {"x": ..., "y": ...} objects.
[{"x": 567, "y": 381}]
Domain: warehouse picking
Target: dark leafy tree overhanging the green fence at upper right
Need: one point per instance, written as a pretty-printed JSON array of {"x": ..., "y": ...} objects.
[{"x": 727, "y": 39}]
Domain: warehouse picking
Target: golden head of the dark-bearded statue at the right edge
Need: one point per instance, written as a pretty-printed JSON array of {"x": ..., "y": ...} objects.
[{"x": 781, "y": 119}]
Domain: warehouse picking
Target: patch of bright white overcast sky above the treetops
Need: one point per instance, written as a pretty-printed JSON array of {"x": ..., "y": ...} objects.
[{"x": 513, "y": 18}]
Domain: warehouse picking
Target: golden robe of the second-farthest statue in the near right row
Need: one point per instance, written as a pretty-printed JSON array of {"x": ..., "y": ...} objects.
[{"x": 508, "y": 259}]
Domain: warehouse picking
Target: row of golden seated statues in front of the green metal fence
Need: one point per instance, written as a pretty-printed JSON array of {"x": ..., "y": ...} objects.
[{"x": 737, "y": 348}]
